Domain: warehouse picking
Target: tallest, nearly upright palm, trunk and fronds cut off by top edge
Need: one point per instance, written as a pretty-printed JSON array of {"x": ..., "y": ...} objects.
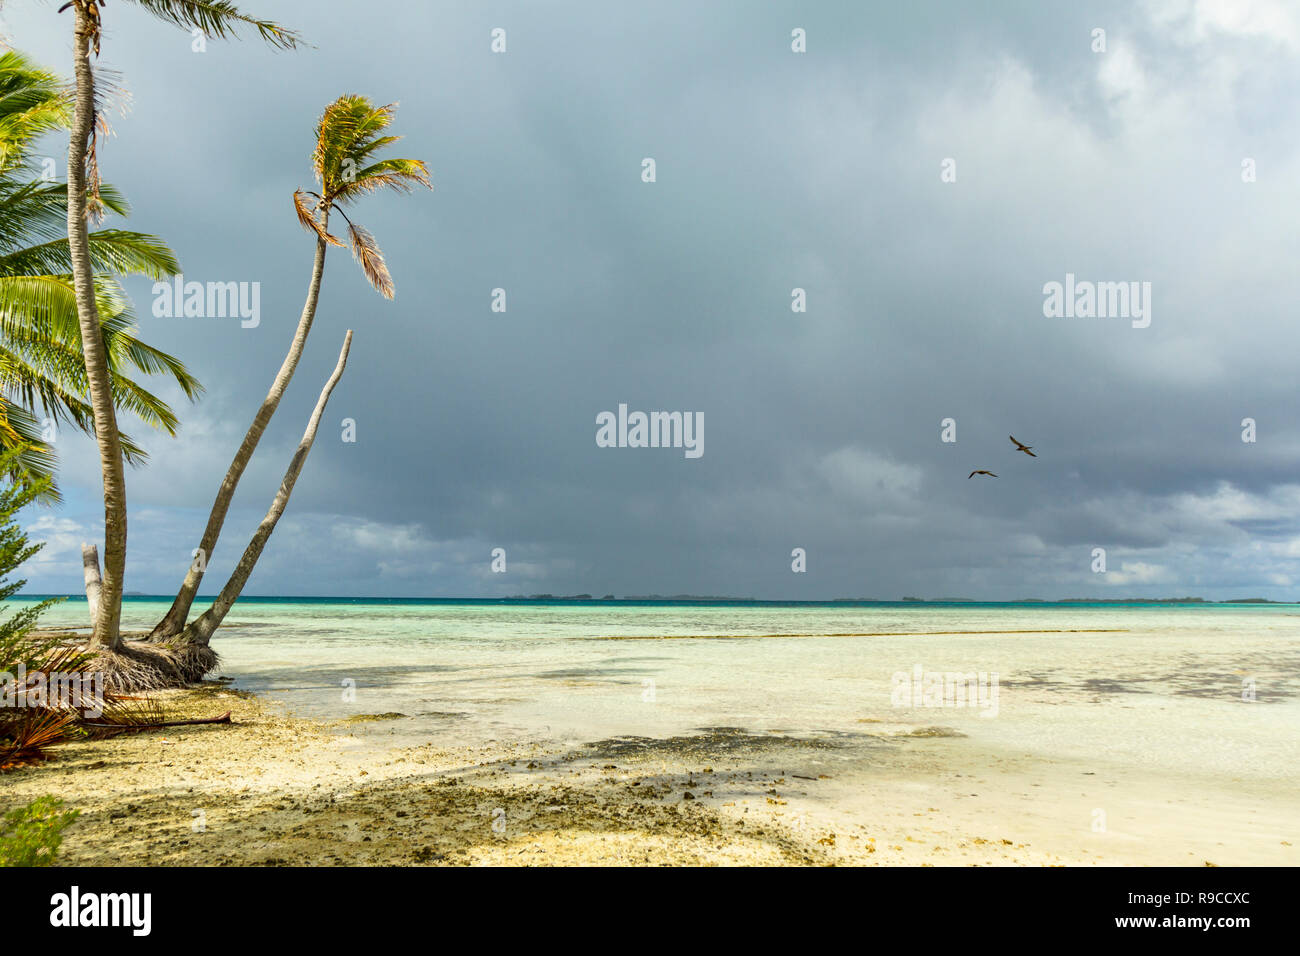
[{"x": 219, "y": 19}]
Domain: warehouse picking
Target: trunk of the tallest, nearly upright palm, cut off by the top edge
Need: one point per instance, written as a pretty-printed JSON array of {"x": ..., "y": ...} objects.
[{"x": 109, "y": 618}]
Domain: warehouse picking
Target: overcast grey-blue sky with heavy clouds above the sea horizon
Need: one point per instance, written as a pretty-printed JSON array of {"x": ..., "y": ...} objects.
[{"x": 775, "y": 171}]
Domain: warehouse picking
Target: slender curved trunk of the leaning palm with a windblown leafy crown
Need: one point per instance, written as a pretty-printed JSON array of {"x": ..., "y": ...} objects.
[{"x": 177, "y": 616}]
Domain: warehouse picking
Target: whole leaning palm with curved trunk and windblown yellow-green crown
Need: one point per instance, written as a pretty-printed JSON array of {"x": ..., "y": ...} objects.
[{"x": 349, "y": 139}]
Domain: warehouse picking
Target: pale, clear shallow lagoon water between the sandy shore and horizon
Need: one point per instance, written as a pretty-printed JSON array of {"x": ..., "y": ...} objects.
[{"x": 1150, "y": 686}]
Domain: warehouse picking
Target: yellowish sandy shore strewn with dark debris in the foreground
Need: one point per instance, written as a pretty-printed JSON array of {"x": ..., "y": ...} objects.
[{"x": 279, "y": 790}]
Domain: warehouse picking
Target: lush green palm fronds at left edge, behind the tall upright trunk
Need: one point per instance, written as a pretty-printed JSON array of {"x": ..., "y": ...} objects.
[{"x": 42, "y": 373}]
